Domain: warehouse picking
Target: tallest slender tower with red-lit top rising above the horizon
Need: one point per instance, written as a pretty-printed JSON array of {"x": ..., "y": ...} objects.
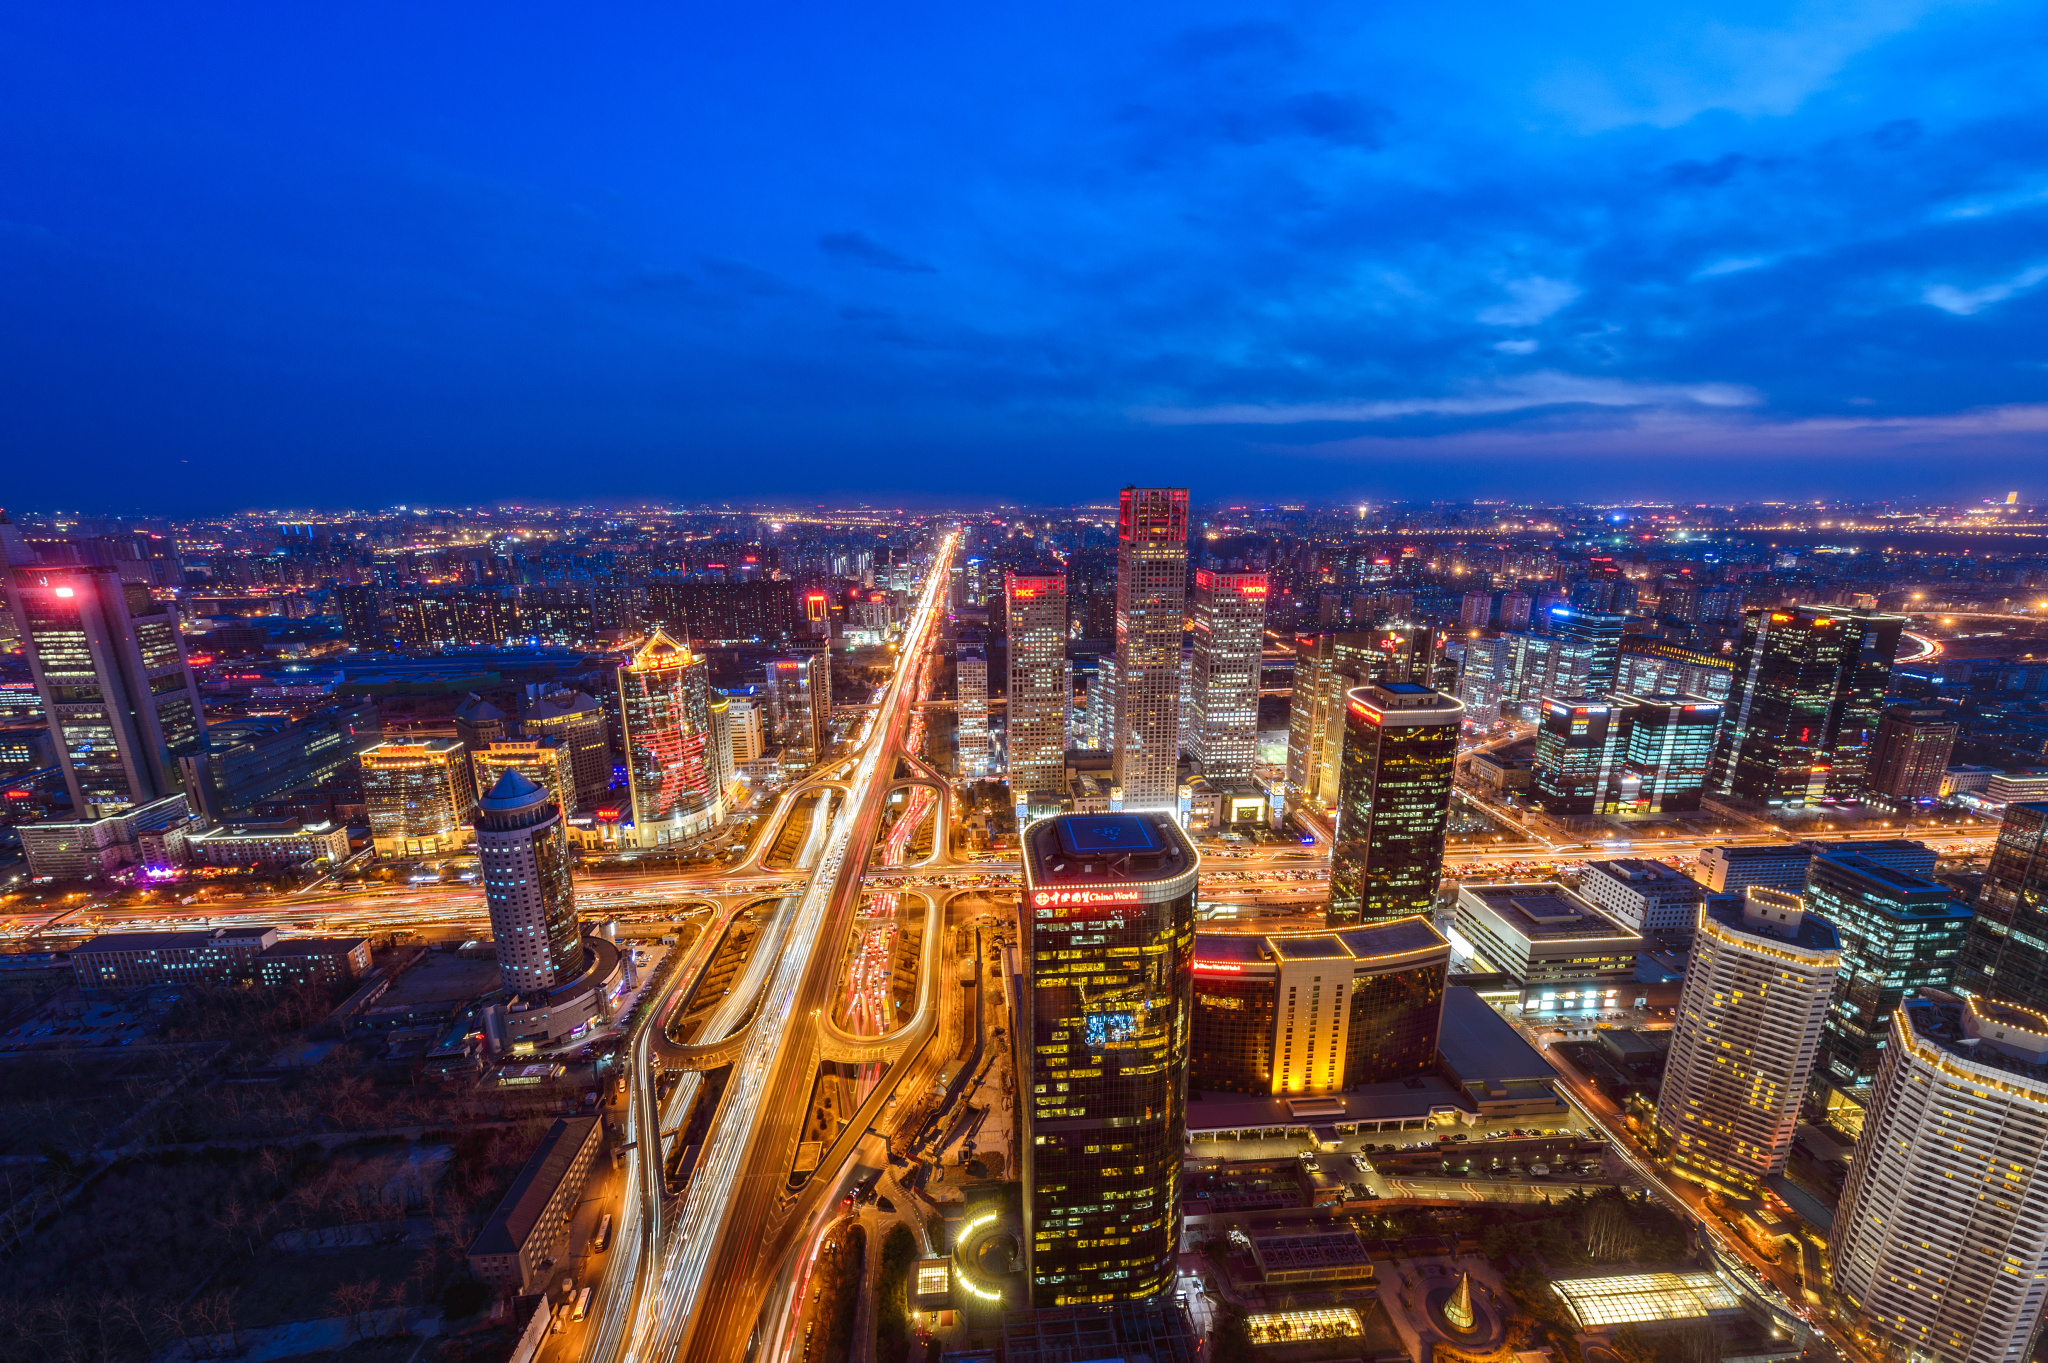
[{"x": 1152, "y": 588}]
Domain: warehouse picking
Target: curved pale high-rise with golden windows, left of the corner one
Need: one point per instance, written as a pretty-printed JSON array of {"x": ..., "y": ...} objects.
[{"x": 1748, "y": 1035}]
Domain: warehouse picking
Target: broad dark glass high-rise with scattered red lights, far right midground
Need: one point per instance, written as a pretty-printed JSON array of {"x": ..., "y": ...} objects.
[{"x": 1803, "y": 709}]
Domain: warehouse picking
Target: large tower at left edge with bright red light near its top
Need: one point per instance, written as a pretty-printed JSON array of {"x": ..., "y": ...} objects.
[{"x": 112, "y": 670}]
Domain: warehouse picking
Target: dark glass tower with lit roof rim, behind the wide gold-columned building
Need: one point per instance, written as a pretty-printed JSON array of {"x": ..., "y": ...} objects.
[{"x": 1394, "y": 801}]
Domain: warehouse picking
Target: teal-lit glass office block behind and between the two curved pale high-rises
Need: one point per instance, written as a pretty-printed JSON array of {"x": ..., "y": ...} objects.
[{"x": 1900, "y": 934}]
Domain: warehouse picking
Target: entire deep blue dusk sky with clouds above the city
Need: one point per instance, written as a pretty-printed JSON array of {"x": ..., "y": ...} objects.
[{"x": 361, "y": 255}]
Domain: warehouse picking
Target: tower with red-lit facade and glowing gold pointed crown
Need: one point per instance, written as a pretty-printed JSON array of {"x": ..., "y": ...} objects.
[{"x": 665, "y": 701}]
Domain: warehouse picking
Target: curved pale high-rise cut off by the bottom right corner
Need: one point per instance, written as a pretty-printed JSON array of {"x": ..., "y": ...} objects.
[{"x": 1943, "y": 1235}]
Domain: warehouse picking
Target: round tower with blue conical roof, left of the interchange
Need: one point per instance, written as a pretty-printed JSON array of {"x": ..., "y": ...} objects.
[{"x": 527, "y": 887}]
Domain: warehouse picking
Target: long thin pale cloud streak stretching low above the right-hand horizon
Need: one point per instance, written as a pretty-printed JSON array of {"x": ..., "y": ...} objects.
[{"x": 1521, "y": 394}]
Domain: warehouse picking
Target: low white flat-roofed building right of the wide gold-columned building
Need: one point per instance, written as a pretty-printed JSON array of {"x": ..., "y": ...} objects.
[{"x": 1562, "y": 953}]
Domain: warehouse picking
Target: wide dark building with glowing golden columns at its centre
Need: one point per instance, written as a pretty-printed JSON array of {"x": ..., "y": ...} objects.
[{"x": 1318, "y": 1012}]
